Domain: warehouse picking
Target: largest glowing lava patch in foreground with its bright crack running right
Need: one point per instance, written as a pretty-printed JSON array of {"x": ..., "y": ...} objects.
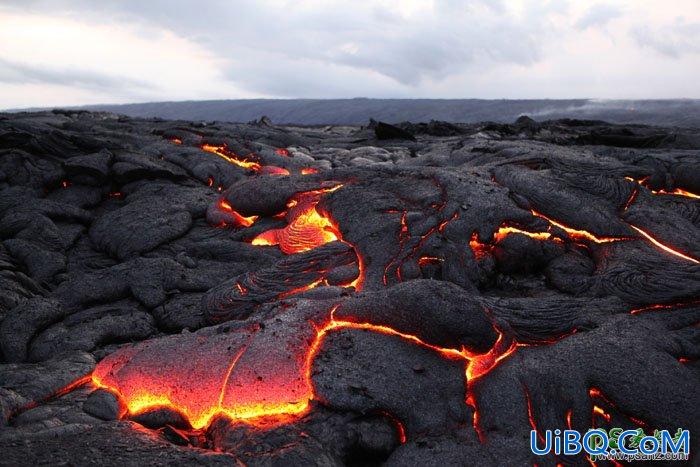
[{"x": 234, "y": 391}]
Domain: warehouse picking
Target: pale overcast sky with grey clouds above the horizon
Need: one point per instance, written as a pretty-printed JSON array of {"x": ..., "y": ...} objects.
[{"x": 62, "y": 52}]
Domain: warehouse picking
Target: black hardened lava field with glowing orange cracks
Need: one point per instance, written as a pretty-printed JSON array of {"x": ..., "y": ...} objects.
[{"x": 180, "y": 292}]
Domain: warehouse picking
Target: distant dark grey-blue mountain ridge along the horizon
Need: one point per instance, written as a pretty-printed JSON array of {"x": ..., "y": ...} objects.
[{"x": 680, "y": 112}]
